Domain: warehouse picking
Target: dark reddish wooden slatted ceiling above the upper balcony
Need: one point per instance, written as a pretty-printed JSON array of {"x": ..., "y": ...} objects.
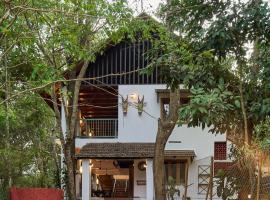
[{"x": 98, "y": 102}]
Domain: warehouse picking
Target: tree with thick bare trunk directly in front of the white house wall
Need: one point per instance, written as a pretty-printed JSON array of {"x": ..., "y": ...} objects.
[{"x": 171, "y": 54}]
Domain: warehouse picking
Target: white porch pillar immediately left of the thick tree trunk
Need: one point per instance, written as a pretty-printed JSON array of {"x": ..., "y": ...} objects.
[{"x": 149, "y": 180}]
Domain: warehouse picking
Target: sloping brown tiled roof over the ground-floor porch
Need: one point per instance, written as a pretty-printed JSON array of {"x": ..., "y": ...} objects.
[{"x": 126, "y": 150}]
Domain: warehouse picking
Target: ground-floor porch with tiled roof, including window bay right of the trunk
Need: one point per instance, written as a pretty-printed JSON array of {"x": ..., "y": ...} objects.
[{"x": 124, "y": 171}]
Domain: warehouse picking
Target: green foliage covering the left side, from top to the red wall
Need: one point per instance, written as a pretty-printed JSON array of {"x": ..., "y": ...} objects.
[{"x": 43, "y": 42}]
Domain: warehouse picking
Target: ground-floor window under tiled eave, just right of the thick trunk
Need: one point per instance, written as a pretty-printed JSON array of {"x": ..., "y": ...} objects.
[{"x": 175, "y": 169}]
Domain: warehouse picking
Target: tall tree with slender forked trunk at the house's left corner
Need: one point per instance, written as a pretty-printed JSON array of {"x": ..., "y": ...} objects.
[{"x": 57, "y": 41}]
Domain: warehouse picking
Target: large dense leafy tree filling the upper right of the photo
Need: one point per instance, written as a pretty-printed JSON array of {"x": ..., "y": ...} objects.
[{"x": 228, "y": 87}]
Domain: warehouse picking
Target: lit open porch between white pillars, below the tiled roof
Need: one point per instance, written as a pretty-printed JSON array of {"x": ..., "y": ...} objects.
[{"x": 114, "y": 179}]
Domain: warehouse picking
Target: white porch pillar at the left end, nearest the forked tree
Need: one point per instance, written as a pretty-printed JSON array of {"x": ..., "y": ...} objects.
[{"x": 86, "y": 179}]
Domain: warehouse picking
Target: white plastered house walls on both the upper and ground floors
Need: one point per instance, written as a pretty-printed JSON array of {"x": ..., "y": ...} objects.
[{"x": 136, "y": 128}]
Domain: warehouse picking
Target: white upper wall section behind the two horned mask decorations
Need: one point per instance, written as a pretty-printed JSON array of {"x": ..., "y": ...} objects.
[{"x": 136, "y": 128}]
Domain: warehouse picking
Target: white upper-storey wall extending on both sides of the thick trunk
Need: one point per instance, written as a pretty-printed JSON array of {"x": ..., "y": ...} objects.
[{"x": 136, "y": 128}]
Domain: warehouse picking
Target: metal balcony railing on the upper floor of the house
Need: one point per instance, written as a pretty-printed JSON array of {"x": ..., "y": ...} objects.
[{"x": 100, "y": 128}]
